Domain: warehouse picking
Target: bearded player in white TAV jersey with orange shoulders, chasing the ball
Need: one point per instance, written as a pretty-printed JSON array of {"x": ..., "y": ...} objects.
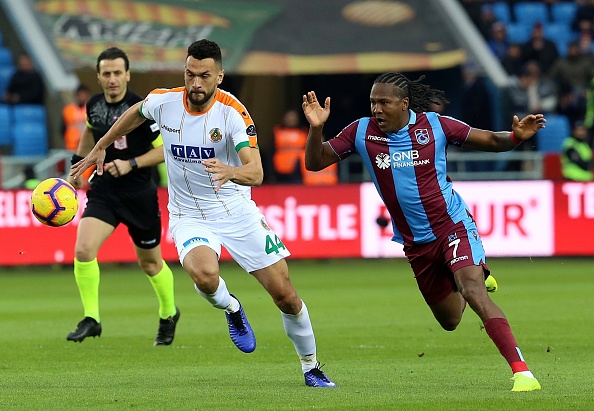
[{"x": 212, "y": 161}]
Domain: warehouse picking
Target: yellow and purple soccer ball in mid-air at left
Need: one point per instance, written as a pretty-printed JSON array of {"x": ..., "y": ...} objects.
[{"x": 54, "y": 202}]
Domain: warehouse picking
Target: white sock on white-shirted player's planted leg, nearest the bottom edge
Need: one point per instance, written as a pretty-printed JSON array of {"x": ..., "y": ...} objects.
[{"x": 298, "y": 328}]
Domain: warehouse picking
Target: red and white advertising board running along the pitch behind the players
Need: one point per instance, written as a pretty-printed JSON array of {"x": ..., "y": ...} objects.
[{"x": 519, "y": 218}]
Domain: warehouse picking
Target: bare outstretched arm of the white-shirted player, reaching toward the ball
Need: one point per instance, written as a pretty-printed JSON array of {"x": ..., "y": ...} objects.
[{"x": 130, "y": 120}]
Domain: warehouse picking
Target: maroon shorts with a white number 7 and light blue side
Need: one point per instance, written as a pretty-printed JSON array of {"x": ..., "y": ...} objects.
[{"x": 434, "y": 263}]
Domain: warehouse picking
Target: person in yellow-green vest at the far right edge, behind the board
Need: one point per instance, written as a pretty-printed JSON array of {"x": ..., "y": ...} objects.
[{"x": 576, "y": 155}]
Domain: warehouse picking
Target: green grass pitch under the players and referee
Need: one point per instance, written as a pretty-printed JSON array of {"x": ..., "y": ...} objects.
[{"x": 375, "y": 334}]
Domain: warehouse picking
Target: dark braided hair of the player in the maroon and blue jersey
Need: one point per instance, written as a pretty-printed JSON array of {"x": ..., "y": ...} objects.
[{"x": 420, "y": 95}]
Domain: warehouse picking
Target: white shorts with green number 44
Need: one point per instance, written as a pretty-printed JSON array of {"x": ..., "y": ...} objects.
[{"x": 247, "y": 237}]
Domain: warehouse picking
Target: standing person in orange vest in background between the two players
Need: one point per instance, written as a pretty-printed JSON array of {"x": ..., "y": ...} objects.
[{"x": 289, "y": 145}]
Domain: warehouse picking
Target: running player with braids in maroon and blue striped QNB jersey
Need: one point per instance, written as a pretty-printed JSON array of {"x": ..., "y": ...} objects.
[{"x": 403, "y": 146}]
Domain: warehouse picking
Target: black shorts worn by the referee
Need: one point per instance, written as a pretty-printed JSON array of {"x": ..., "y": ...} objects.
[{"x": 138, "y": 210}]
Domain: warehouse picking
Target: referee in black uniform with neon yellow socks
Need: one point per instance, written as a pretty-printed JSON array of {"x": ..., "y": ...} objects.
[{"x": 125, "y": 194}]
